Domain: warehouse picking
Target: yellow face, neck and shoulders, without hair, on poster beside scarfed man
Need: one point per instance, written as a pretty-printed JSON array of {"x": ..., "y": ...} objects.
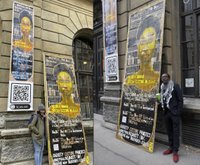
[{"x": 146, "y": 78}]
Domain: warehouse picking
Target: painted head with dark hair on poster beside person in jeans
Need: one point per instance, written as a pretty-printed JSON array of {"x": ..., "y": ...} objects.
[{"x": 64, "y": 79}]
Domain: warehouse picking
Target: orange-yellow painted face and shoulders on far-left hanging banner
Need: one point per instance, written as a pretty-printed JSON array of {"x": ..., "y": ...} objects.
[{"x": 24, "y": 43}]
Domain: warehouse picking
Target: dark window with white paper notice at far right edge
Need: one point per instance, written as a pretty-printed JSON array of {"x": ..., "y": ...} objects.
[{"x": 190, "y": 43}]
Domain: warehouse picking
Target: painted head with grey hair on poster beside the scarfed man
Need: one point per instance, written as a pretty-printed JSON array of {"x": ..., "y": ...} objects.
[{"x": 147, "y": 36}]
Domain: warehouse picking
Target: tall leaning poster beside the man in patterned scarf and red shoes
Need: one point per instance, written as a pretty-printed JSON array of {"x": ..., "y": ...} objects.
[{"x": 138, "y": 110}]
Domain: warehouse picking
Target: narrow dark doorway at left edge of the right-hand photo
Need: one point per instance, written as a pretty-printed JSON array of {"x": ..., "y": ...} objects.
[{"x": 98, "y": 57}]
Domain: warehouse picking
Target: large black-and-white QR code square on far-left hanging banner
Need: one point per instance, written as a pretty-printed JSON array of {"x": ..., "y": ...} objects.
[{"x": 21, "y": 93}]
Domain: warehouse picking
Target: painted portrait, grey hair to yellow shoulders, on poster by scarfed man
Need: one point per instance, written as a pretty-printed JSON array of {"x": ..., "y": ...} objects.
[{"x": 146, "y": 78}]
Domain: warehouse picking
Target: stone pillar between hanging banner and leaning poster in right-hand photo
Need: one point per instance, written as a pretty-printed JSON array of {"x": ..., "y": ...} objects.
[{"x": 112, "y": 91}]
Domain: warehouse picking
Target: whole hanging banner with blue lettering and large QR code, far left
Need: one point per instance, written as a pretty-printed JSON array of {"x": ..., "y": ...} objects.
[{"x": 20, "y": 94}]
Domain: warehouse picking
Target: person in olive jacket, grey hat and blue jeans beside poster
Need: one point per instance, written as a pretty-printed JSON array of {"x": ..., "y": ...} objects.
[{"x": 37, "y": 129}]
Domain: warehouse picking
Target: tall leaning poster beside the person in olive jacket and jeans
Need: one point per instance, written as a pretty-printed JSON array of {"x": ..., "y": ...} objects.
[{"x": 66, "y": 137}]
